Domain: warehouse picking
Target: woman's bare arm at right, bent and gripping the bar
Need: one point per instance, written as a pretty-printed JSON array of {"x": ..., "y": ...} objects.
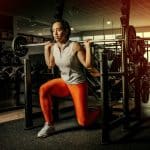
[{"x": 84, "y": 54}]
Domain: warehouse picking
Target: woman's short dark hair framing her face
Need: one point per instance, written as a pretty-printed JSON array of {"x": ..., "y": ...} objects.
[{"x": 65, "y": 26}]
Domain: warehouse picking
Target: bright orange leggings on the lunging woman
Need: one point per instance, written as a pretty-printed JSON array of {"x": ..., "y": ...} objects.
[{"x": 58, "y": 88}]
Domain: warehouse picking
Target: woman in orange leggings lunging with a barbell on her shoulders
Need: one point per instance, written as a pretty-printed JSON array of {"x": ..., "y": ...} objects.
[{"x": 71, "y": 58}]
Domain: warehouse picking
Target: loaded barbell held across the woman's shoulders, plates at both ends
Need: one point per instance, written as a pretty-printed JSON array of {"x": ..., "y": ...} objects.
[{"x": 20, "y": 44}]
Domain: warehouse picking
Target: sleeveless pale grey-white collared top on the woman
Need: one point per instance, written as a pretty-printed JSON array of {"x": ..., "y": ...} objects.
[{"x": 72, "y": 71}]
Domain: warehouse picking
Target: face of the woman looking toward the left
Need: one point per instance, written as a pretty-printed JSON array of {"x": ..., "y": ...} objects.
[{"x": 58, "y": 32}]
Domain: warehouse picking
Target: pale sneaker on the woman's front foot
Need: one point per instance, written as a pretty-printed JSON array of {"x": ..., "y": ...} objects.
[{"x": 46, "y": 131}]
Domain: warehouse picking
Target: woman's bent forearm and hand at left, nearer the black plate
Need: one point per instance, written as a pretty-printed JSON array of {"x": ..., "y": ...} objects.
[{"x": 49, "y": 59}]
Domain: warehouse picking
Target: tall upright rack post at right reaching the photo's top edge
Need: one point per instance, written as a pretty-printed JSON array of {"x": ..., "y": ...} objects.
[{"x": 125, "y": 46}]
